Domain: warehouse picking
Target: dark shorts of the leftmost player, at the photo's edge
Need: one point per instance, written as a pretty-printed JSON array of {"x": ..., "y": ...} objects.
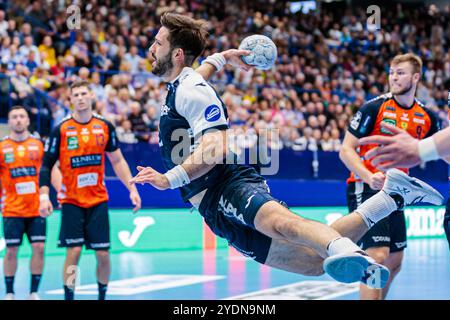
[{"x": 14, "y": 229}]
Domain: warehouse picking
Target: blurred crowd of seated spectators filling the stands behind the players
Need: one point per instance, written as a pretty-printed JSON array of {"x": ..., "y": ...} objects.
[{"x": 329, "y": 63}]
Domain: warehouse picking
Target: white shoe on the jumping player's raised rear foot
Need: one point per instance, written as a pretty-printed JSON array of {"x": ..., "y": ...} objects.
[{"x": 411, "y": 190}]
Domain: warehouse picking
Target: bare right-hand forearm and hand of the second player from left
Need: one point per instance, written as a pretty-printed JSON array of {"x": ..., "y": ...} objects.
[{"x": 120, "y": 167}]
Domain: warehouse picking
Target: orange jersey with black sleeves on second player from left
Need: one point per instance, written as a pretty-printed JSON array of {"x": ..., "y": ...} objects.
[{"x": 80, "y": 149}]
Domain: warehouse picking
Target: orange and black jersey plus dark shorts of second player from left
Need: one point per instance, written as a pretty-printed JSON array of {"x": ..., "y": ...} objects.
[{"x": 80, "y": 149}]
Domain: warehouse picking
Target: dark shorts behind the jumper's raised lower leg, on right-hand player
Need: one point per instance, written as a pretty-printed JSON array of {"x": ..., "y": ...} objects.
[{"x": 388, "y": 232}]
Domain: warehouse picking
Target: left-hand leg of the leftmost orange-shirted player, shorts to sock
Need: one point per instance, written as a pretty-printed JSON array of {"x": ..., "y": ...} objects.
[{"x": 13, "y": 229}]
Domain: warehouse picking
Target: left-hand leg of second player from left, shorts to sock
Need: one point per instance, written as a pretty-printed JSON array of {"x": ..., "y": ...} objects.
[{"x": 72, "y": 237}]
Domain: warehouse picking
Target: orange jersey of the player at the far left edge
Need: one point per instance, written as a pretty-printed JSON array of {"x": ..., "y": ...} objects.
[{"x": 20, "y": 163}]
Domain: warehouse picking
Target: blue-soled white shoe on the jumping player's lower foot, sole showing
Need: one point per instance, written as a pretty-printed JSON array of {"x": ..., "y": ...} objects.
[{"x": 356, "y": 266}]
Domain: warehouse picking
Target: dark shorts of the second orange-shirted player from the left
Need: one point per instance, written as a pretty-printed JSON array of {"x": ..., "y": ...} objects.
[{"x": 84, "y": 226}]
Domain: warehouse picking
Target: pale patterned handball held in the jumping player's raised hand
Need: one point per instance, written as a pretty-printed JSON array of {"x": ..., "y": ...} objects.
[{"x": 264, "y": 51}]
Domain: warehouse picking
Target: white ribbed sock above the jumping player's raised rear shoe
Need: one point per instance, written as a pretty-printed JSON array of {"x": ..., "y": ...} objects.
[{"x": 376, "y": 208}]
